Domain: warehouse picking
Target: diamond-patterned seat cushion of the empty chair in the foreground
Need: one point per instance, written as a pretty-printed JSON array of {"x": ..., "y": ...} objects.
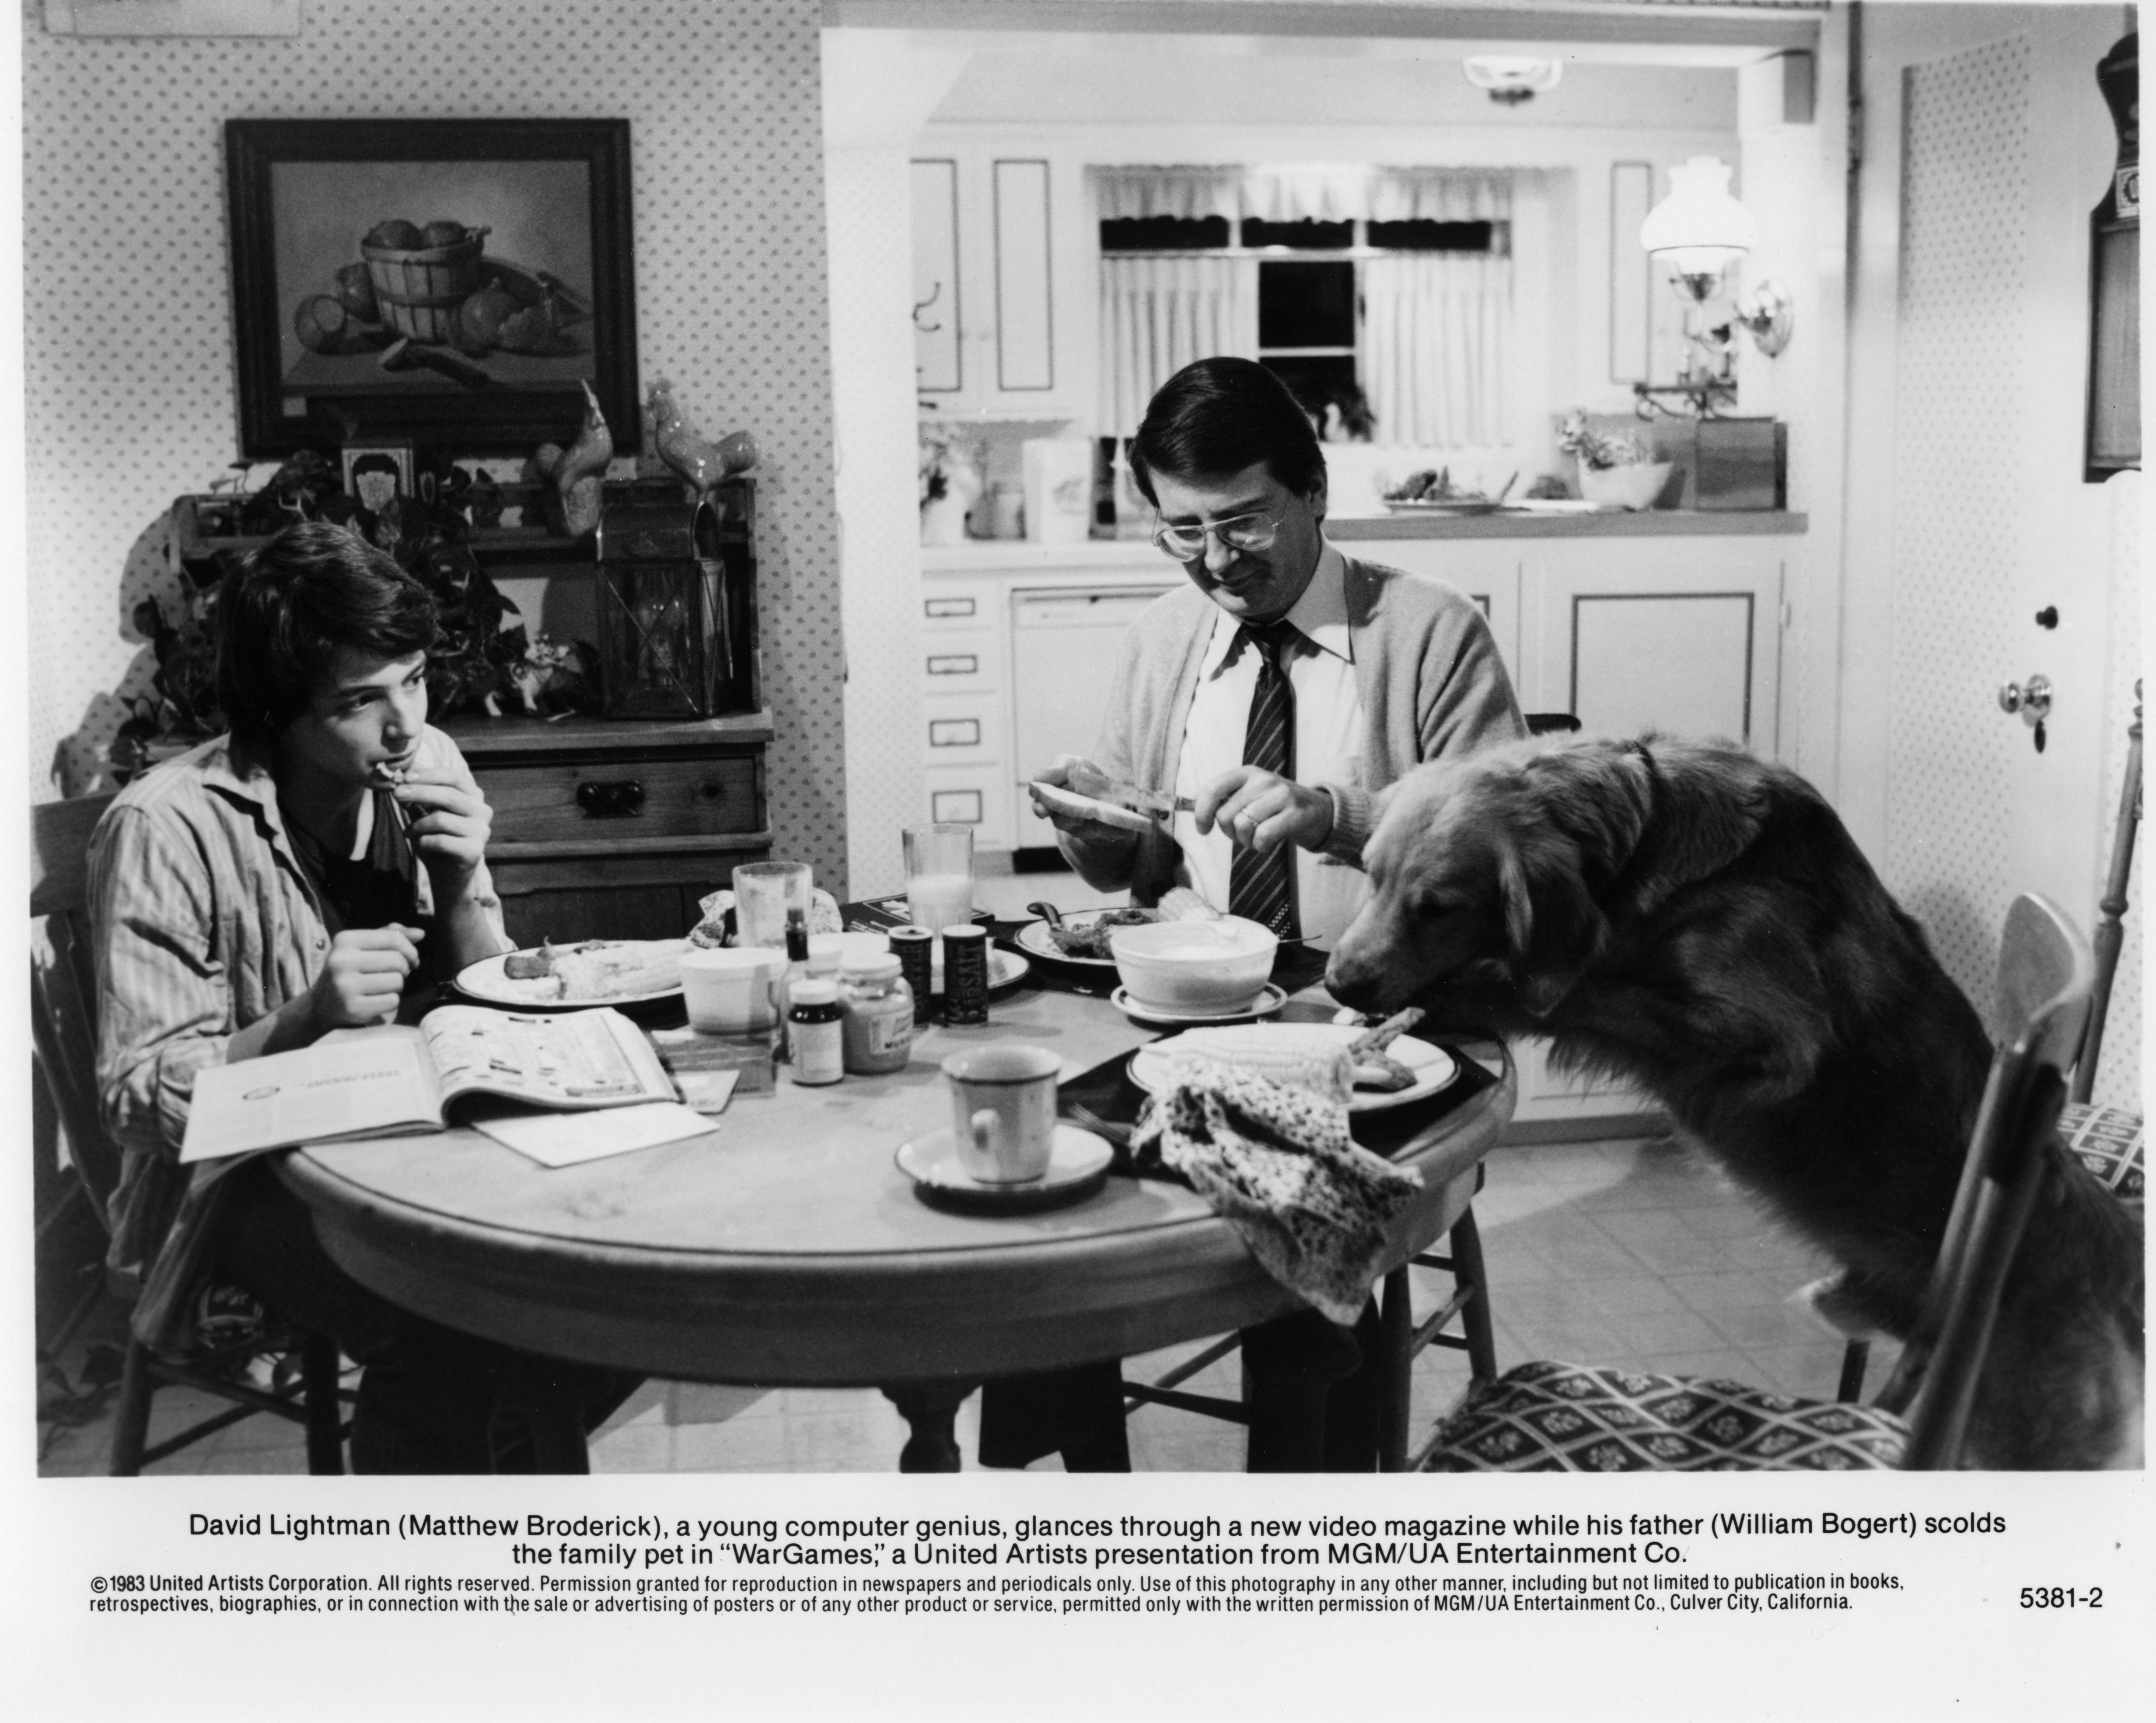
[{"x": 1577, "y": 1418}]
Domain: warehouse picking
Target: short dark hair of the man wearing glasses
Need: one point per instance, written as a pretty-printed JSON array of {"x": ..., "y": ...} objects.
[{"x": 1221, "y": 415}]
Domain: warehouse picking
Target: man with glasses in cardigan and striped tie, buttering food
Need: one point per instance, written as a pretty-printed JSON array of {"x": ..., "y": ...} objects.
[{"x": 1286, "y": 687}]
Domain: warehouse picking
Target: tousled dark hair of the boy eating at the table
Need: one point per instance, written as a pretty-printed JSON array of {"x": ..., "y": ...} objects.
[{"x": 288, "y": 609}]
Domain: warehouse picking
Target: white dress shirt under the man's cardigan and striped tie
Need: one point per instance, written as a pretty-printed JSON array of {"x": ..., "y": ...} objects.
[{"x": 1329, "y": 745}]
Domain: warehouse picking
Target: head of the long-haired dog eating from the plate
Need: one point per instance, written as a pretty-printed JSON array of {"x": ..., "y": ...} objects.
[{"x": 1491, "y": 870}]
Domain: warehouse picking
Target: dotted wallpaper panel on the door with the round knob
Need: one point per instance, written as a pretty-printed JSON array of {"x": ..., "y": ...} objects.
[{"x": 1961, "y": 378}]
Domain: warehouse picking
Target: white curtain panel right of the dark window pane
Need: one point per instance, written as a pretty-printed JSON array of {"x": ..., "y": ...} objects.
[{"x": 1437, "y": 337}]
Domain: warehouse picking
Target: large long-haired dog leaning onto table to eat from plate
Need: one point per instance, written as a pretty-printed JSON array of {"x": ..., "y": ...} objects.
[{"x": 1700, "y": 924}]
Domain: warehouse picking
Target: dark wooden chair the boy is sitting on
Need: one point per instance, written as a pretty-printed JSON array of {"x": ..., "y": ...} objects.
[{"x": 64, "y": 1034}]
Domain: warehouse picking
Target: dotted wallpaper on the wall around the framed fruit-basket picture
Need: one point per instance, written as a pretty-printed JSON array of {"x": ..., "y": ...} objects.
[{"x": 128, "y": 363}]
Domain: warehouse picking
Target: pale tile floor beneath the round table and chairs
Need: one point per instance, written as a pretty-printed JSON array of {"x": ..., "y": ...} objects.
[{"x": 1627, "y": 1252}]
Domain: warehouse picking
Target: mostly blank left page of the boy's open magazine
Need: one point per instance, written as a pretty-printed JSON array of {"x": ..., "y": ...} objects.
[{"x": 368, "y": 1081}]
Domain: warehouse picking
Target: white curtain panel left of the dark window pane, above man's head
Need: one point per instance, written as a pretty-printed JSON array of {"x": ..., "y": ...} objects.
[{"x": 1159, "y": 314}]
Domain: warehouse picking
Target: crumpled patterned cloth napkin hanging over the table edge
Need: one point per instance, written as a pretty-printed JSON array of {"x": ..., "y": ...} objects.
[{"x": 1277, "y": 1166}]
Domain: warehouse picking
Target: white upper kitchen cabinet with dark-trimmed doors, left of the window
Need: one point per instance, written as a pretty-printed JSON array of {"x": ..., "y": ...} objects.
[{"x": 993, "y": 335}]
